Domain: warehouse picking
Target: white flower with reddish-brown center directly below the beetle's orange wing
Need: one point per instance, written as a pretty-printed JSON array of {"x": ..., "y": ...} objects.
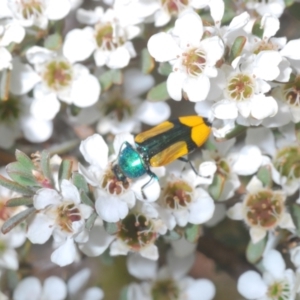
[{"x": 183, "y": 201}]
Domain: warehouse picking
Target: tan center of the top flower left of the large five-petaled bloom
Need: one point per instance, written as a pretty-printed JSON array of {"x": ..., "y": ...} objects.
[{"x": 106, "y": 37}]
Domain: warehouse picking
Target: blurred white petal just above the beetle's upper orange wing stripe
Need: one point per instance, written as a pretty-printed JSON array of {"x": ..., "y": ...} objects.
[{"x": 153, "y": 113}]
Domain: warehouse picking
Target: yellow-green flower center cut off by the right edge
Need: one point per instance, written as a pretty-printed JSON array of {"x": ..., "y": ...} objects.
[{"x": 287, "y": 162}]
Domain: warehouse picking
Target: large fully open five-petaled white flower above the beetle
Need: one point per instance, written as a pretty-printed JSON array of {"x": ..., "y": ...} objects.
[{"x": 193, "y": 59}]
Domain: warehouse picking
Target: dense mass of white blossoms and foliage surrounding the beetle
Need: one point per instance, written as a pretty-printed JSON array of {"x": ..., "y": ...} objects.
[{"x": 110, "y": 65}]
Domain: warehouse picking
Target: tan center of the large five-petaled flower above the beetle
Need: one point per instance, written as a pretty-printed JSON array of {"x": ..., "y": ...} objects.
[{"x": 194, "y": 61}]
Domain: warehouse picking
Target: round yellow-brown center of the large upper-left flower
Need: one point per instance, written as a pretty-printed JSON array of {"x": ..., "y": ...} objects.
[{"x": 58, "y": 74}]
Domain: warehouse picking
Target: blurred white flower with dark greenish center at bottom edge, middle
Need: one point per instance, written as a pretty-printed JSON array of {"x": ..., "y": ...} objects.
[{"x": 169, "y": 280}]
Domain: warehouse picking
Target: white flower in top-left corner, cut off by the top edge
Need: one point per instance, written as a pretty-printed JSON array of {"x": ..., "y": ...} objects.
[{"x": 37, "y": 13}]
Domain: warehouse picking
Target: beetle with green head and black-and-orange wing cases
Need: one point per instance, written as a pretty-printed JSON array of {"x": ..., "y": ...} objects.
[{"x": 160, "y": 146}]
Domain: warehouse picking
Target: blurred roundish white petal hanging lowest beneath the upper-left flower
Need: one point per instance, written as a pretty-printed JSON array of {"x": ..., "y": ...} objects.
[{"x": 36, "y": 131}]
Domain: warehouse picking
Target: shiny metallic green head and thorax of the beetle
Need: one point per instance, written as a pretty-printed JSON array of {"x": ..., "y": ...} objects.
[{"x": 130, "y": 163}]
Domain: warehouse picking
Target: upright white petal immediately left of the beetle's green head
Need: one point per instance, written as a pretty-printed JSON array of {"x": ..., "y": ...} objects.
[{"x": 95, "y": 151}]
